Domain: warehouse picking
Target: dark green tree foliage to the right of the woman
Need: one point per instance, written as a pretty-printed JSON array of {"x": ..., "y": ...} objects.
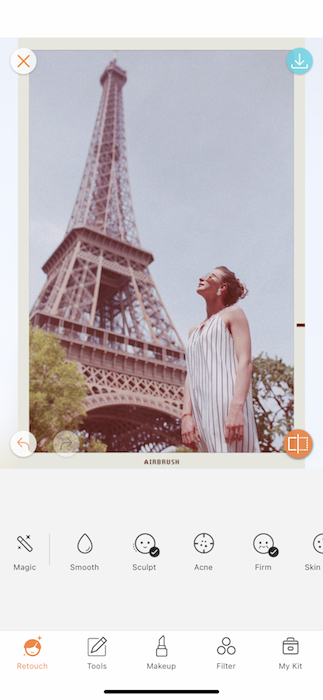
[{"x": 273, "y": 401}]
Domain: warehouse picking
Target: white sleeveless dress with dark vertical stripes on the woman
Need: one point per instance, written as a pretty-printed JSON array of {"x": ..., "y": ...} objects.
[{"x": 212, "y": 369}]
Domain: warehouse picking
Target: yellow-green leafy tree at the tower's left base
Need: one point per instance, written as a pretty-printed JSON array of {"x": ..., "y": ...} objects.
[{"x": 57, "y": 389}]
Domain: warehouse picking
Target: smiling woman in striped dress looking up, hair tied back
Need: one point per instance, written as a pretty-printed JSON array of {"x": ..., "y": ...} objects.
[{"x": 217, "y": 409}]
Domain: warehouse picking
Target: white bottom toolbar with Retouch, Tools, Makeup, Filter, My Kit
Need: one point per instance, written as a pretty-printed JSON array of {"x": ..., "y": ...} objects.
[{"x": 37, "y": 664}]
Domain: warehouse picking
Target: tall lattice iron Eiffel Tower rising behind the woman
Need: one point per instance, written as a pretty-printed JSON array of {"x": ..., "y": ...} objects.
[{"x": 102, "y": 303}]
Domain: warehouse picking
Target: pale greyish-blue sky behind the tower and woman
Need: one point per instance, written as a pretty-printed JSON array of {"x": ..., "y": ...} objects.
[{"x": 210, "y": 157}]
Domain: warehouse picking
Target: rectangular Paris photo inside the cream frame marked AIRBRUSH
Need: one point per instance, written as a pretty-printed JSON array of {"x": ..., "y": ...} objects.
[{"x": 161, "y": 251}]
